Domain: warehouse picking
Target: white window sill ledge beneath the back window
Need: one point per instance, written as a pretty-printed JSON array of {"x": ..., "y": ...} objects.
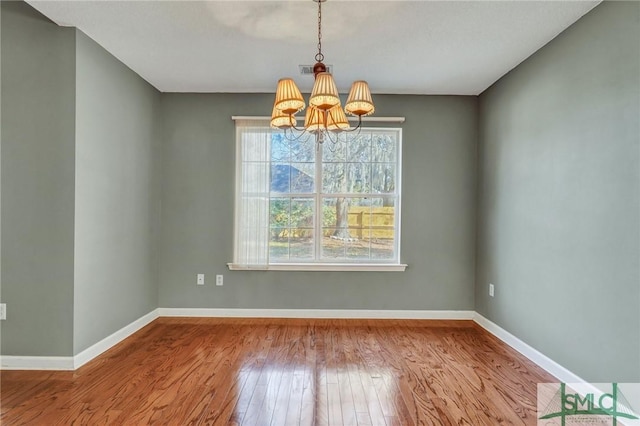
[{"x": 341, "y": 267}]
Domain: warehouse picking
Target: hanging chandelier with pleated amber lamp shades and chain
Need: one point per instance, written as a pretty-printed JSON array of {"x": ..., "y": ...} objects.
[{"x": 324, "y": 114}]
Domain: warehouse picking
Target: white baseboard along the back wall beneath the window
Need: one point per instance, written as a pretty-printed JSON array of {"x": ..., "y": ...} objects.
[{"x": 316, "y": 313}]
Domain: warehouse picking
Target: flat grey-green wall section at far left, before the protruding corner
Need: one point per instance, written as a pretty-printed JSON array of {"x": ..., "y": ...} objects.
[{"x": 38, "y": 118}]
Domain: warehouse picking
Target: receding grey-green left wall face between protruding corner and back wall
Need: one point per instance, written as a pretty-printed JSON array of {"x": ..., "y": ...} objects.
[{"x": 117, "y": 195}]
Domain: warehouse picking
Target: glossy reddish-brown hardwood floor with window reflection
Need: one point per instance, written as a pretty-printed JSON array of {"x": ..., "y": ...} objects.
[{"x": 187, "y": 371}]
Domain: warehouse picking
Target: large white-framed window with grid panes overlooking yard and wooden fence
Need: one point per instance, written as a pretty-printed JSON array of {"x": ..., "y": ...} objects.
[{"x": 333, "y": 206}]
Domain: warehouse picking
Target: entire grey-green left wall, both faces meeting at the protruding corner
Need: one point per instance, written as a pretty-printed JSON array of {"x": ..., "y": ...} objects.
[{"x": 80, "y": 189}]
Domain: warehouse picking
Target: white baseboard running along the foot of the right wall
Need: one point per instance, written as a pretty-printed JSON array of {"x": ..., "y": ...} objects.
[{"x": 544, "y": 362}]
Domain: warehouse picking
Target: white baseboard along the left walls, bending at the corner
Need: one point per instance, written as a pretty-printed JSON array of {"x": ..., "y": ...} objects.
[{"x": 74, "y": 362}]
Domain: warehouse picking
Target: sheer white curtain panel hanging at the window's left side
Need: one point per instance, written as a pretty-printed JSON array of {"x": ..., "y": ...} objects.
[{"x": 253, "y": 148}]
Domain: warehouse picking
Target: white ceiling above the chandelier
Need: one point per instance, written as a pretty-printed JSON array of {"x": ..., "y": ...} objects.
[{"x": 398, "y": 46}]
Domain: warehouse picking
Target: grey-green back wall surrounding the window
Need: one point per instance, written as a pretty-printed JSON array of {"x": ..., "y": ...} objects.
[{"x": 438, "y": 212}]
